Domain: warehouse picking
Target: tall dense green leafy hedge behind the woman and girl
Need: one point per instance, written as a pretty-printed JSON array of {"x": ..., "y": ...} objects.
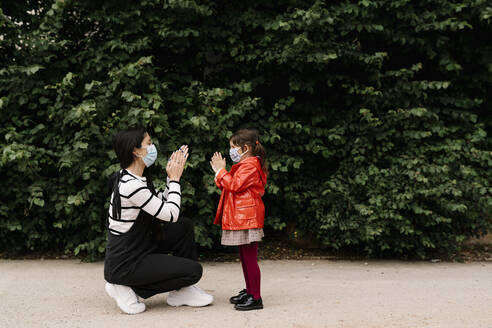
[{"x": 375, "y": 114}]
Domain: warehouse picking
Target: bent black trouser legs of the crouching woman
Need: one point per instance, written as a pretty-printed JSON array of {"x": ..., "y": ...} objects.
[{"x": 160, "y": 272}]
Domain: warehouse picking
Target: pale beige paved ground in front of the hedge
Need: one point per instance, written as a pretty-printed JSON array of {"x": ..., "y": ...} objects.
[{"x": 68, "y": 293}]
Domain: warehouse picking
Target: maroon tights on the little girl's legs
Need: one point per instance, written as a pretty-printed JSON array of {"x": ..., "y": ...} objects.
[{"x": 249, "y": 259}]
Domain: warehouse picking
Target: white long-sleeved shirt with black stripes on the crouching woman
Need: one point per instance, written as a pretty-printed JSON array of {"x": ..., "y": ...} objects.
[{"x": 136, "y": 196}]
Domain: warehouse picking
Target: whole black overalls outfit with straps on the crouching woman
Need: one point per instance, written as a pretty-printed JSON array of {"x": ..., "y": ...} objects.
[{"x": 138, "y": 260}]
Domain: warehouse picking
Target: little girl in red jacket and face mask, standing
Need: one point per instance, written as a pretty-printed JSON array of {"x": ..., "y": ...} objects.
[{"x": 241, "y": 211}]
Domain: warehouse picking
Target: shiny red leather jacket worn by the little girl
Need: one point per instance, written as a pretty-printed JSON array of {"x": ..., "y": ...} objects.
[{"x": 240, "y": 205}]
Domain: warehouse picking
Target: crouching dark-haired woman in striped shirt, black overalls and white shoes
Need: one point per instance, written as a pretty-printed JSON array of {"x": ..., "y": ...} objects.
[{"x": 137, "y": 260}]
